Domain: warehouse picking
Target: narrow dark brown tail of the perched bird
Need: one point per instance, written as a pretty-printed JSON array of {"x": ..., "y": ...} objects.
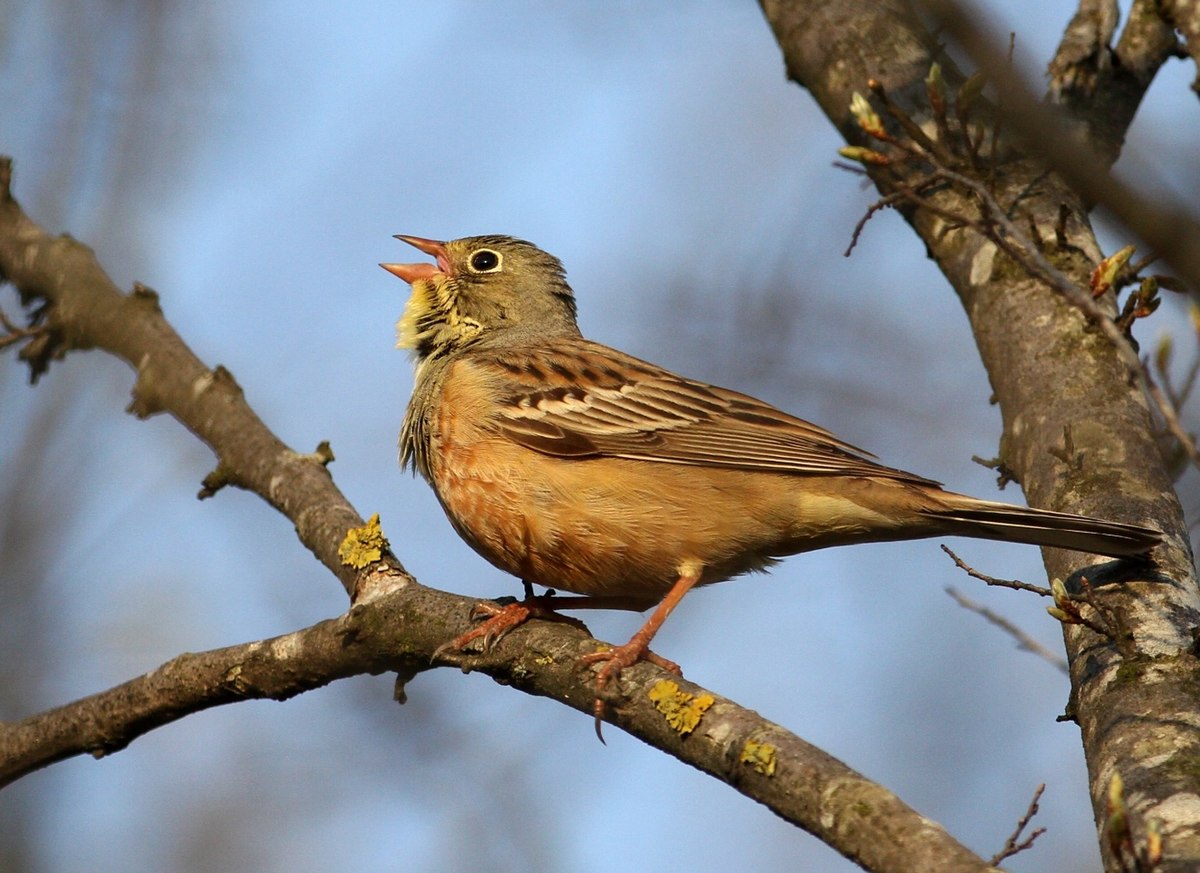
[{"x": 994, "y": 521}]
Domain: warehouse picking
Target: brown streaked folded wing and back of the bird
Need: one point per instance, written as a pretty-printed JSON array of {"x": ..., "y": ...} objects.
[{"x": 580, "y": 400}]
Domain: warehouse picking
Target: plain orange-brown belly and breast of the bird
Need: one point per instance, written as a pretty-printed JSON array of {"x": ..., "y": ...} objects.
[{"x": 621, "y": 527}]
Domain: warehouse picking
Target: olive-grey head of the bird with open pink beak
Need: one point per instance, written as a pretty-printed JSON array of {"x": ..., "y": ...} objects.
[{"x": 479, "y": 287}]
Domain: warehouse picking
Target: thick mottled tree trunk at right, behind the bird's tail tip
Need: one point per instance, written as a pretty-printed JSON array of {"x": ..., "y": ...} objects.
[{"x": 1061, "y": 386}]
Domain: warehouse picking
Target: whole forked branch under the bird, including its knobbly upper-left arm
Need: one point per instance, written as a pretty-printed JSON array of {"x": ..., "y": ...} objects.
[{"x": 395, "y": 623}]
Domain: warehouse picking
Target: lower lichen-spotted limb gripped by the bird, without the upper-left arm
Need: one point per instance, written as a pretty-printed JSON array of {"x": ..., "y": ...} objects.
[{"x": 763, "y": 761}]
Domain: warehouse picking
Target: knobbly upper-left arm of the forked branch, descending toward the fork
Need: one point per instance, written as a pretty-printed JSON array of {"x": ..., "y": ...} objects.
[{"x": 80, "y": 308}]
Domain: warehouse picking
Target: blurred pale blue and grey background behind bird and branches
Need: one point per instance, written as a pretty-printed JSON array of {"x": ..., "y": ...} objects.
[{"x": 251, "y": 162}]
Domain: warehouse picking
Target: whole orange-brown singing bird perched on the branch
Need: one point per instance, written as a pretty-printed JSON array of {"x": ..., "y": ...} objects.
[{"x": 577, "y": 467}]
